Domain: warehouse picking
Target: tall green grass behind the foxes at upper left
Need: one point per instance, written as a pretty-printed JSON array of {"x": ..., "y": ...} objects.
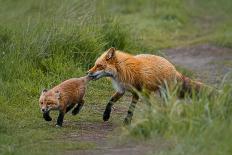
[{"x": 38, "y": 41}]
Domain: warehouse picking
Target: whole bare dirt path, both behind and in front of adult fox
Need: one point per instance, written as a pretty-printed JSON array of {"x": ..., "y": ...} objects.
[{"x": 210, "y": 63}]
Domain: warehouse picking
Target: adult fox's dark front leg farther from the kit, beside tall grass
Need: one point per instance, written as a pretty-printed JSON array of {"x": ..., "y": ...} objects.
[{"x": 131, "y": 109}]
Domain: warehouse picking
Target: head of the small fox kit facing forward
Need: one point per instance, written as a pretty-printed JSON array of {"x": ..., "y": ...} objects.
[{"x": 49, "y": 100}]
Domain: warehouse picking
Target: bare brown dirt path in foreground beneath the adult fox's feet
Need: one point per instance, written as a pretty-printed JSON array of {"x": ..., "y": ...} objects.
[{"x": 104, "y": 136}]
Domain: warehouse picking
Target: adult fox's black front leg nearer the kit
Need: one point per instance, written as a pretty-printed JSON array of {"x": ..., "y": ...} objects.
[{"x": 113, "y": 99}]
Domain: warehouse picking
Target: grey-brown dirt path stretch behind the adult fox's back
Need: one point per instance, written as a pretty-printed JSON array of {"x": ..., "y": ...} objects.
[{"x": 210, "y": 63}]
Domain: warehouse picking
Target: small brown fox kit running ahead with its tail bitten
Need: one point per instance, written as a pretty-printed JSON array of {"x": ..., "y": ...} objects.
[{"x": 63, "y": 97}]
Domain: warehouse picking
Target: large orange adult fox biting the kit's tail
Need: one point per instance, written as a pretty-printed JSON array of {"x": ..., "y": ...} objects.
[{"x": 144, "y": 71}]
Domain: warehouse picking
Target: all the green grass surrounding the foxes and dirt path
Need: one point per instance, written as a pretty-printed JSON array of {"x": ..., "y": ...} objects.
[{"x": 45, "y": 42}]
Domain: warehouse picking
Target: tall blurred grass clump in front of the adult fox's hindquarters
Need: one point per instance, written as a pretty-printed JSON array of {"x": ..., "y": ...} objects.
[{"x": 197, "y": 125}]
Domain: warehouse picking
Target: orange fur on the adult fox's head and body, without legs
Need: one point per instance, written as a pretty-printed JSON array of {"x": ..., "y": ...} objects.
[{"x": 140, "y": 71}]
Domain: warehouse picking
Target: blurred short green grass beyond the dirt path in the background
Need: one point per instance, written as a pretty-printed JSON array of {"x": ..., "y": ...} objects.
[{"x": 166, "y": 24}]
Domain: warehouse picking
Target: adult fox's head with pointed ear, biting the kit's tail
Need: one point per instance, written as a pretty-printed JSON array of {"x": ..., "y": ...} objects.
[{"x": 105, "y": 65}]
